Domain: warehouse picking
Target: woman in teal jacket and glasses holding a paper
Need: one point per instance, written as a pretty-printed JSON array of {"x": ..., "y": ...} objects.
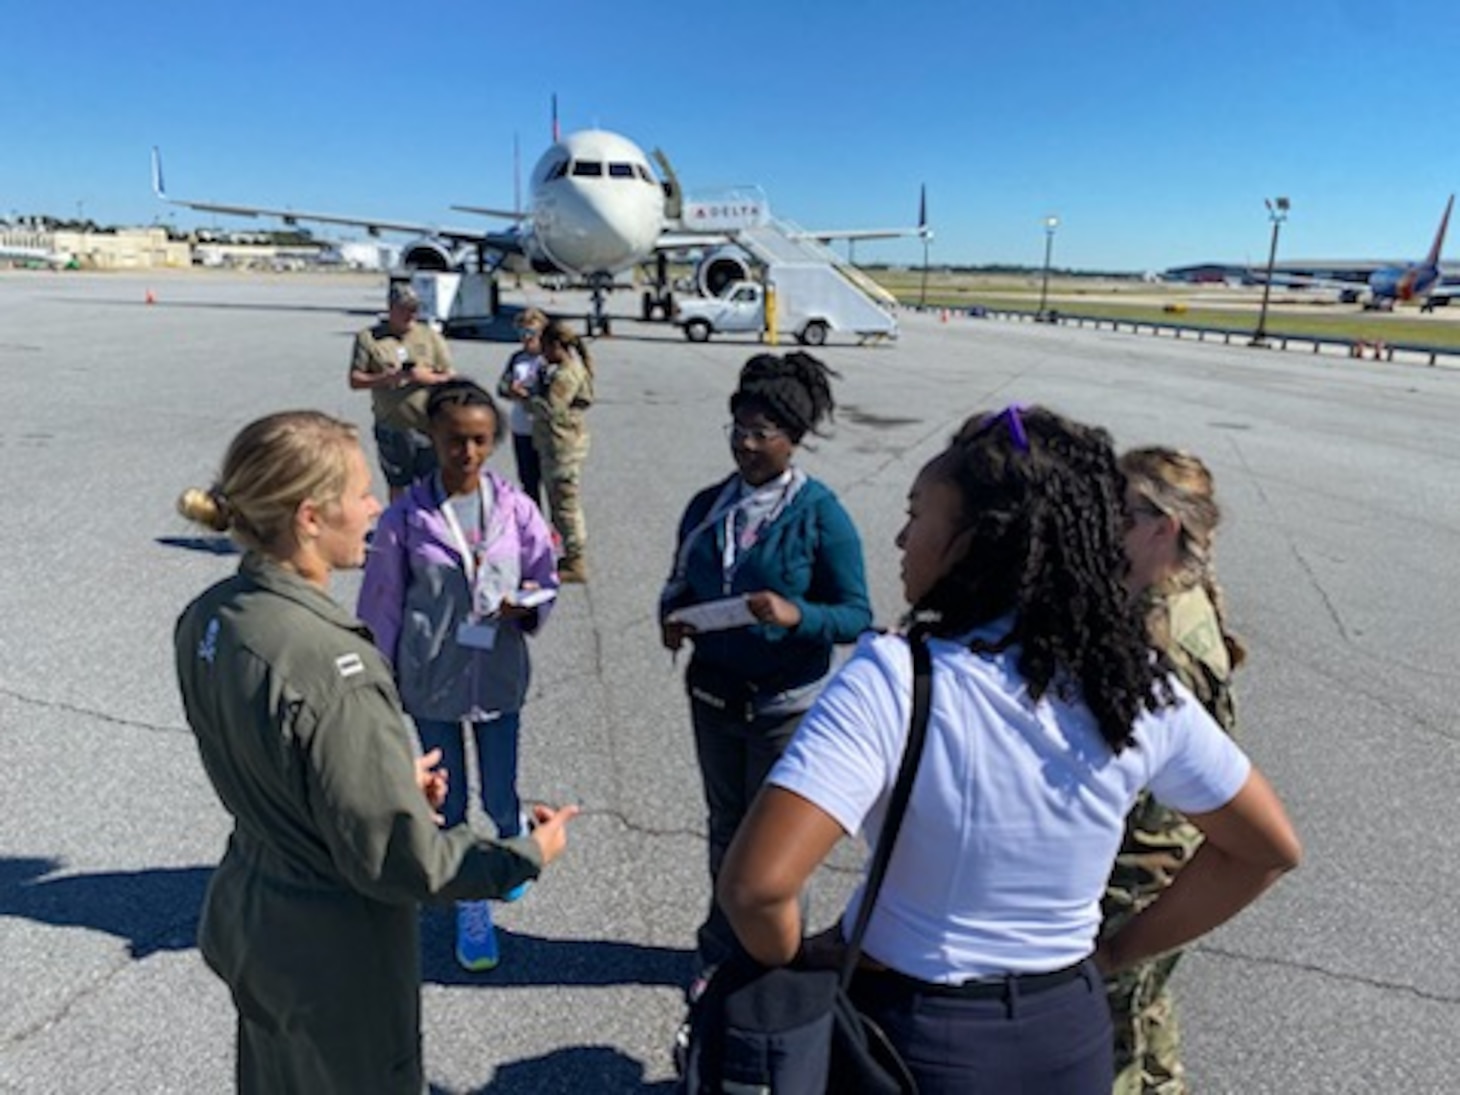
[{"x": 780, "y": 542}]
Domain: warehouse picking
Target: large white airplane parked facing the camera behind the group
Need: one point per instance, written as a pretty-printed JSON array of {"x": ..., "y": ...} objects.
[{"x": 596, "y": 208}]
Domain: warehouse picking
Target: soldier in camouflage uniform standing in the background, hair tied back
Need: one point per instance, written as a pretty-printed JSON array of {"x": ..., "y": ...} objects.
[{"x": 561, "y": 436}]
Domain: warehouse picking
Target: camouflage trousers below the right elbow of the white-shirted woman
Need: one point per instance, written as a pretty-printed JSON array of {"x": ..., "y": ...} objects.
[{"x": 1148, "y": 1040}]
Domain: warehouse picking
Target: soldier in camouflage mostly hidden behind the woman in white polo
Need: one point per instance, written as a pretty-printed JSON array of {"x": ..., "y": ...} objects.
[{"x": 1173, "y": 518}]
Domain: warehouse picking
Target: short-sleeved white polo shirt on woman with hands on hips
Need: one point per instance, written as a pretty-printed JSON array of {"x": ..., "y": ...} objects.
[{"x": 1017, "y": 812}]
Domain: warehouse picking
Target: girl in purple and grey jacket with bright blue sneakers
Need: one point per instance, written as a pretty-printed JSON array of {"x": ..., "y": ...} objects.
[{"x": 455, "y": 569}]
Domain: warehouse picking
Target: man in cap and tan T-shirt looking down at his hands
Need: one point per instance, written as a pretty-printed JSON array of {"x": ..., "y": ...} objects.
[{"x": 398, "y": 361}]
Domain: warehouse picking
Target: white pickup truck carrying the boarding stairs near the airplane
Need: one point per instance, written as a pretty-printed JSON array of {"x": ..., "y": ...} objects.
[{"x": 811, "y": 301}]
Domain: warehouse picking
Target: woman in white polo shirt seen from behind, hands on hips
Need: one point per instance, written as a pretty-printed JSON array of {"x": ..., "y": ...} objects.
[{"x": 1049, "y": 718}]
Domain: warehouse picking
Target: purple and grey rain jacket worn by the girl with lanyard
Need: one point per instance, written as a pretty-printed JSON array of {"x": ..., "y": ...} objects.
[{"x": 417, "y": 593}]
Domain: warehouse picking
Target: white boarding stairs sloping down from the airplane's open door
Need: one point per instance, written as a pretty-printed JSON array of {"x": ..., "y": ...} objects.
[{"x": 859, "y": 303}]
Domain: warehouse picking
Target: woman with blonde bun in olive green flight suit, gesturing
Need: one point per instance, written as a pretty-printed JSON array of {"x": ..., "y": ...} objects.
[{"x": 312, "y": 919}]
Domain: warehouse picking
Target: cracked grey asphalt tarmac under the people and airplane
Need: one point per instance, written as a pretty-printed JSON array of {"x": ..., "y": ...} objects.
[{"x": 1341, "y": 558}]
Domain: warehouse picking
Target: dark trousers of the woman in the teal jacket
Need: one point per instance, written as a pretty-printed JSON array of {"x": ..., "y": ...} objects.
[{"x": 735, "y": 758}]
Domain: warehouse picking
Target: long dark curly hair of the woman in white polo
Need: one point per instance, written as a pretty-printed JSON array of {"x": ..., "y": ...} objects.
[{"x": 1045, "y": 520}]
